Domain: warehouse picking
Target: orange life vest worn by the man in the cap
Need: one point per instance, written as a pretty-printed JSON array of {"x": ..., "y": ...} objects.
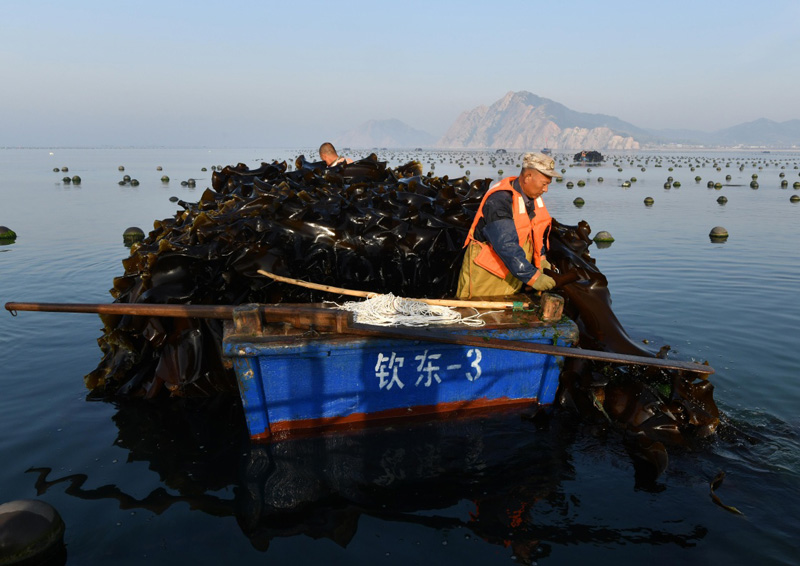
[{"x": 538, "y": 227}]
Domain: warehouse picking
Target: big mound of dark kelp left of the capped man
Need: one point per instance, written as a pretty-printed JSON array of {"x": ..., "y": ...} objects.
[{"x": 360, "y": 226}]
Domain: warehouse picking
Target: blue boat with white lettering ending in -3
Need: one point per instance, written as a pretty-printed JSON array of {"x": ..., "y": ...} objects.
[{"x": 295, "y": 382}]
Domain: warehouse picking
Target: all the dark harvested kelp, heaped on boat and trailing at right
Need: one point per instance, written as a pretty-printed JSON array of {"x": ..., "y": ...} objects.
[{"x": 360, "y": 226}]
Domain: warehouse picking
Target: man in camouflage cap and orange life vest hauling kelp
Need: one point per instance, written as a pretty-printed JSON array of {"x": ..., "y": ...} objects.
[{"x": 508, "y": 238}]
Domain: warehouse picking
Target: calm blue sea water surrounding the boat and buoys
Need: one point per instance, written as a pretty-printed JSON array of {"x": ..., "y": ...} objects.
[{"x": 138, "y": 483}]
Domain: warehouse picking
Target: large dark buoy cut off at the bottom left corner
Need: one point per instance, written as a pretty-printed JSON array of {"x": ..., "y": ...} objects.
[{"x": 31, "y": 532}]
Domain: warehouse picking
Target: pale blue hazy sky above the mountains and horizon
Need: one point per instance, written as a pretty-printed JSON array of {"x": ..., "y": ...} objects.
[{"x": 284, "y": 74}]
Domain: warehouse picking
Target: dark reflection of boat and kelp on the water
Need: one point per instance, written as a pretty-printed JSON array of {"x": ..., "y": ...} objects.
[{"x": 484, "y": 475}]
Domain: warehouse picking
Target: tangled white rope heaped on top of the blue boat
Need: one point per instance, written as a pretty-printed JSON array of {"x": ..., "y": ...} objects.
[{"x": 388, "y": 310}]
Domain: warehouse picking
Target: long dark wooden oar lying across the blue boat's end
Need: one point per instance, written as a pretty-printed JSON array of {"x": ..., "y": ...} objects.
[{"x": 326, "y": 319}]
